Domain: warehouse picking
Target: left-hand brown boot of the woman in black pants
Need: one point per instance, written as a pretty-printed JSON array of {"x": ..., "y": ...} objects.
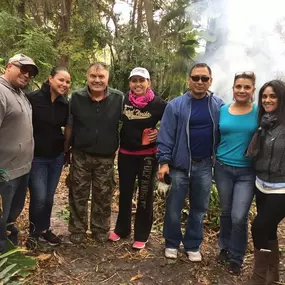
[{"x": 261, "y": 260}]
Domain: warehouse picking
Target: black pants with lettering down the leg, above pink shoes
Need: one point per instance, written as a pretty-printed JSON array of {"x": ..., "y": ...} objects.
[{"x": 144, "y": 167}]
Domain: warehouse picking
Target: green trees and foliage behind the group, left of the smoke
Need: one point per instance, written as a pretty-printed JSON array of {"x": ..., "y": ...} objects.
[{"x": 93, "y": 31}]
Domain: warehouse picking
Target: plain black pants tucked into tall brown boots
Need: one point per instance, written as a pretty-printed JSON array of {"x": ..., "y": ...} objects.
[{"x": 270, "y": 212}]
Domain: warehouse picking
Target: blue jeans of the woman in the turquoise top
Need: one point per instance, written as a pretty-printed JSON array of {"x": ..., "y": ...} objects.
[{"x": 236, "y": 190}]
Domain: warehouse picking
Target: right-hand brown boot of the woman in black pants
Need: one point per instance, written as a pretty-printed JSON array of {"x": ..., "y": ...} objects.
[{"x": 273, "y": 266}]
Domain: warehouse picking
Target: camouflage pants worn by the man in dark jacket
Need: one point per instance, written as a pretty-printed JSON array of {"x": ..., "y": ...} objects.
[{"x": 91, "y": 172}]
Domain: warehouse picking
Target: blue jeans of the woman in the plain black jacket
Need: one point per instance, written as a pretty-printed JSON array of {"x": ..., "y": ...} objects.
[{"x": 44, "y": 177}]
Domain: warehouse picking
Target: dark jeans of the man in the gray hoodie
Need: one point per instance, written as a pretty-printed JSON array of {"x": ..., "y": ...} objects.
[{"x": 13, "y": 195}]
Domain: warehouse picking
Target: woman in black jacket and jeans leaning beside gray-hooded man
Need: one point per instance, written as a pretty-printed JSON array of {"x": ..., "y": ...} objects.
[{"x": 50, "y": 113}]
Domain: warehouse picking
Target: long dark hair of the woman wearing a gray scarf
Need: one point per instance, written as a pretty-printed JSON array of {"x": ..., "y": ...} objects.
[{"x": 278, "y": 87}]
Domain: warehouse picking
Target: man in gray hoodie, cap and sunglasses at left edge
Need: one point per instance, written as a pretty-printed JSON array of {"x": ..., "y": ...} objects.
[{"x": 16, "y": 142}]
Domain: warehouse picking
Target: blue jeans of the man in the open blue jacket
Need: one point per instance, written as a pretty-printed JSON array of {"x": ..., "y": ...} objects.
[{"x": 198, "y": 188}]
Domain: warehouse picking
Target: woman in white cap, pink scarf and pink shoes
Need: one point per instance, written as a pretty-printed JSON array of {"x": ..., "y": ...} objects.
[{"x": 137, "y": 157}]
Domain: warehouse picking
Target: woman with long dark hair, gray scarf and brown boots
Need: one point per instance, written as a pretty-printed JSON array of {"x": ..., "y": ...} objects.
[{"x": 268, "y": 149}]
